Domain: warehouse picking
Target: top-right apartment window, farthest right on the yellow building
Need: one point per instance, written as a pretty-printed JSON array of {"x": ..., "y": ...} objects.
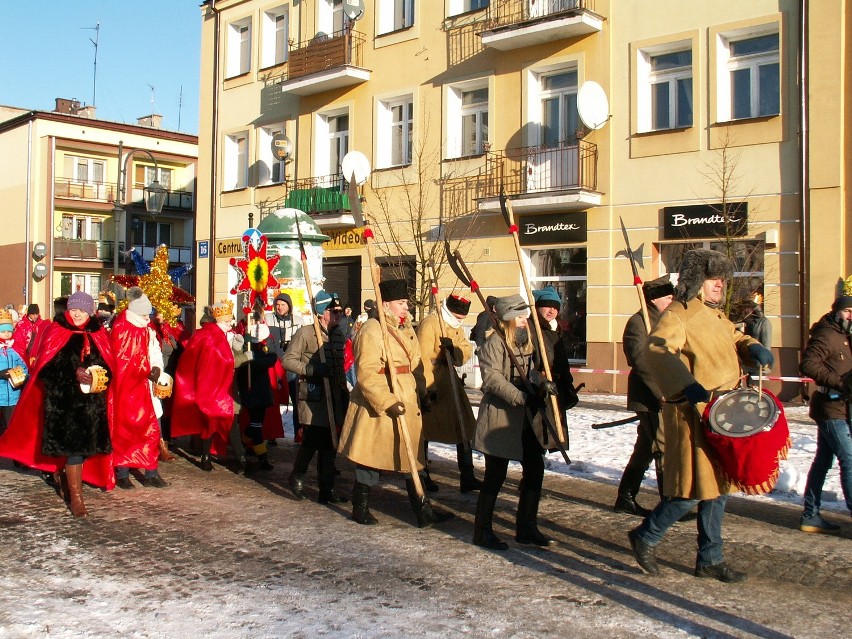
[{"x": 750, "y": 75}]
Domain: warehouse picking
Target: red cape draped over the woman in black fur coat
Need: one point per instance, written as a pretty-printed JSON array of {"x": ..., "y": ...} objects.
[{"x": 22, "y": 440}]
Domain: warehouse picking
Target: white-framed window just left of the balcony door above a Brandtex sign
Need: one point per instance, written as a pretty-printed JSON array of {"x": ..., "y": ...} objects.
[{"x": 467, "y": 119}]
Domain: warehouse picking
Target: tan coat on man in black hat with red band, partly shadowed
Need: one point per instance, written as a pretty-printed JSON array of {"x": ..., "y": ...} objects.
[{"x": 441, "y": 423}]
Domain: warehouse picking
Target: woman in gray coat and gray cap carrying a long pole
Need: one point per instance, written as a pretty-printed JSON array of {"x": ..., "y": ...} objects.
[{"x": 508, "y": 427}]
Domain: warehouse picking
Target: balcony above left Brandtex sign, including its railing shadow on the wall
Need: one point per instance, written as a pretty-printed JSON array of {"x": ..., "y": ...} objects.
[{"x": 538, "y": 179}]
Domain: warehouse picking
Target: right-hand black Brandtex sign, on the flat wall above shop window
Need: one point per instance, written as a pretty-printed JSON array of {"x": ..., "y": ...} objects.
[{"x": 704, "y": 221}]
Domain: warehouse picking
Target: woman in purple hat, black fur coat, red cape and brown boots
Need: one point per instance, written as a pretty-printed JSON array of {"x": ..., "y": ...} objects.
[{"x": 56, "y": 426}]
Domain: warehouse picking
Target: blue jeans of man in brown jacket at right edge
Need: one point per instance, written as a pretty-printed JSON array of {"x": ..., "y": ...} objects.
[{"x": 834, "y": 439}]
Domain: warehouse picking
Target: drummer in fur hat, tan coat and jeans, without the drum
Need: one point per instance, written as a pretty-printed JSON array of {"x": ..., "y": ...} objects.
[{"x": 693, "y": 351}]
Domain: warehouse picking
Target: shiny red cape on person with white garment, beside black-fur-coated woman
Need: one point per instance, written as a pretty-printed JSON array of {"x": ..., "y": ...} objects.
[{"x": 135, "y": 431}]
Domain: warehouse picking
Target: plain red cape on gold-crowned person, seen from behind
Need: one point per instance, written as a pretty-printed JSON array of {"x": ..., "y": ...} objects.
[{"x": 202, "y": 394}]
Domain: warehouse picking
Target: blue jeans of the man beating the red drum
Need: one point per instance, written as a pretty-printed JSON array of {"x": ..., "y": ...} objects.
[{"x": 670, "y": 510}]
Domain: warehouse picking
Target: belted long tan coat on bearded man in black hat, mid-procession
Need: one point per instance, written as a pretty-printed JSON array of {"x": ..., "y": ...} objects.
[{"x": 370, "y": 437}]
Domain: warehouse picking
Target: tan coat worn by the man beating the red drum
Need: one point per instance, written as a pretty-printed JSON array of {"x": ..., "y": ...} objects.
[{"x": 692, "y": 343}]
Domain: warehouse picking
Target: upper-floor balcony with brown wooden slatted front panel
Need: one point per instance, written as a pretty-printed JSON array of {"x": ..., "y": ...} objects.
[{"x": 325, "y": 63}]
